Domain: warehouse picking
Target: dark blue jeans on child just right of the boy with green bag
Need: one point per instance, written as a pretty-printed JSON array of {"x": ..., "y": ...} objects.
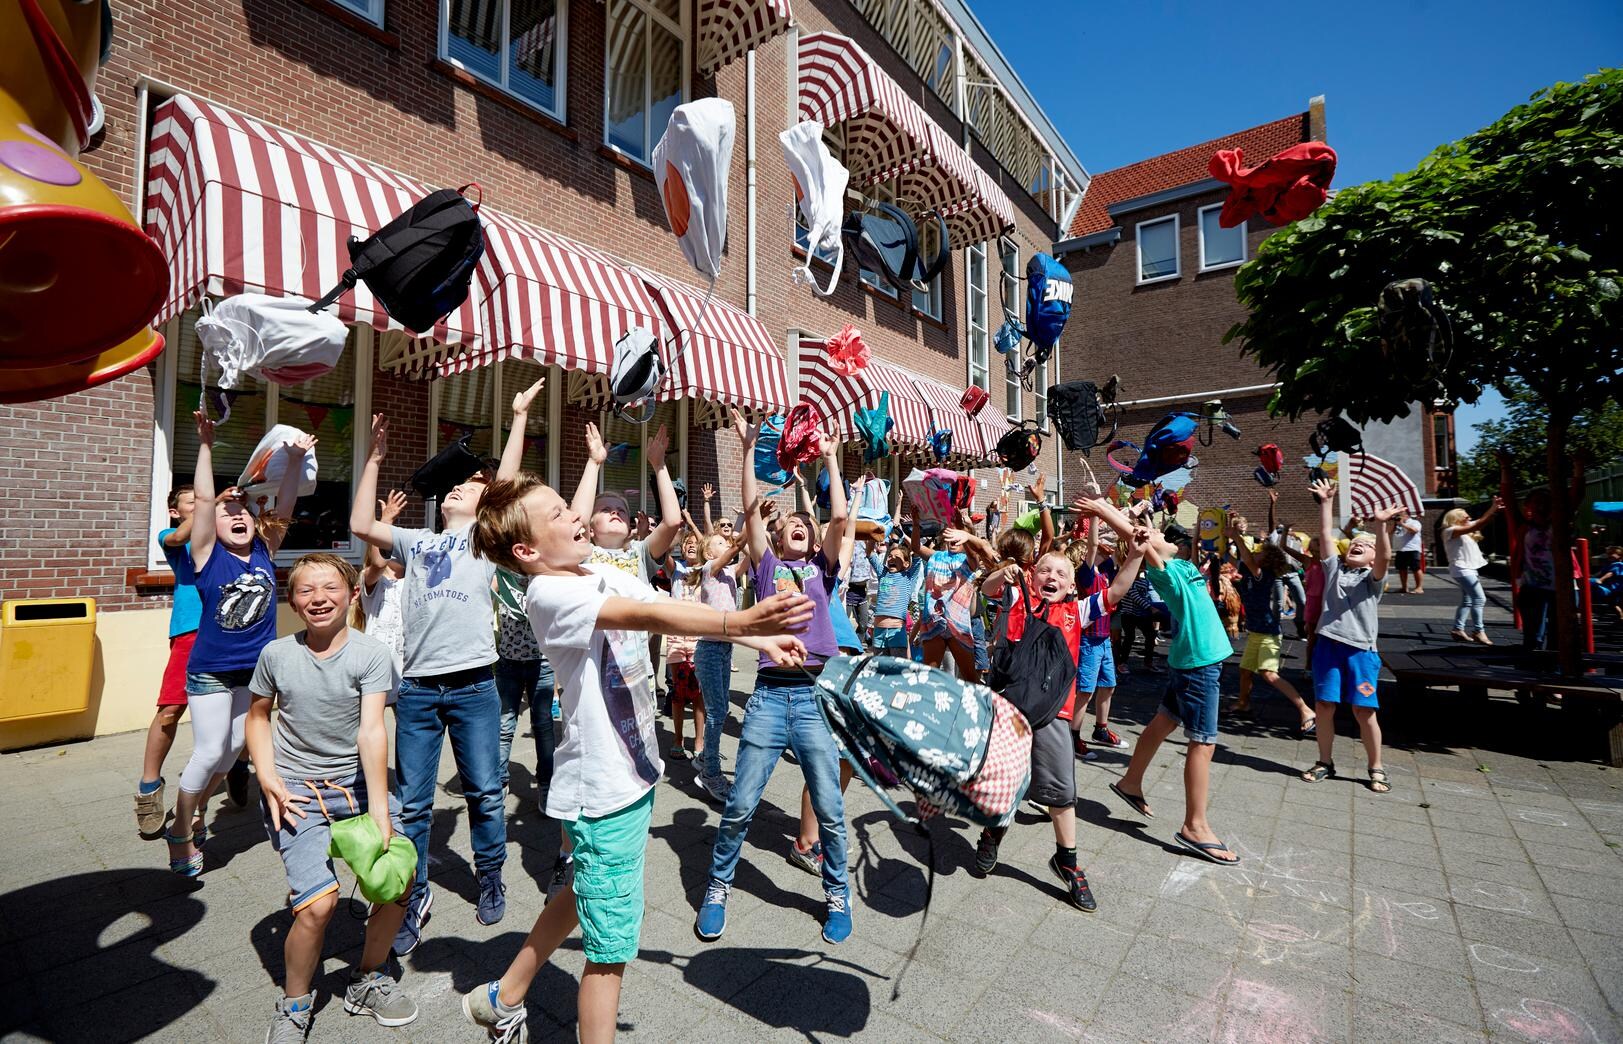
[{"x": 467, "y": 705}]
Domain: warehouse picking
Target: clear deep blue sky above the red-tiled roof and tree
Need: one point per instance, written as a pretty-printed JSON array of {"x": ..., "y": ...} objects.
[{"x": 1139, "y": 79}]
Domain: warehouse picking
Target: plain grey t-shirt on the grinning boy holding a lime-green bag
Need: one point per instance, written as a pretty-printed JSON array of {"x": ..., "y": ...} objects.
[{"x": 319, "y": 702}]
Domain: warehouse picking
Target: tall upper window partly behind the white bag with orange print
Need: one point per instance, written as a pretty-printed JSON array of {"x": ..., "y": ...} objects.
[{"x": 647, "y": 72}]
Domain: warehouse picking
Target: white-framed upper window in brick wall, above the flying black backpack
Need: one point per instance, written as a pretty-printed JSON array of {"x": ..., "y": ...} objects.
[{"x": 517, "y": 46}]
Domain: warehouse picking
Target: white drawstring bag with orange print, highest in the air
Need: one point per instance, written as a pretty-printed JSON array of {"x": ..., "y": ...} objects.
[{"x": 691, "y": 168}]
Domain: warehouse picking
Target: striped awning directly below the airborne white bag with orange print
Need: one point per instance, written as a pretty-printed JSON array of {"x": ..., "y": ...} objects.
[{"x": 720, "y": 355}]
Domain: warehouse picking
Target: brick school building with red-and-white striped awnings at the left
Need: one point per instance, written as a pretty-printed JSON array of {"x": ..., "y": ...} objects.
[{"x": 254, "y": 139}]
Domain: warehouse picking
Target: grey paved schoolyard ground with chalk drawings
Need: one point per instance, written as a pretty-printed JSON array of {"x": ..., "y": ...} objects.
[{"x": 1481, "y": 899}]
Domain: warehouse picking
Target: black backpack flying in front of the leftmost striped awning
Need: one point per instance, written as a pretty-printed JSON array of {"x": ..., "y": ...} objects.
[{"x": 421, "y": 264}]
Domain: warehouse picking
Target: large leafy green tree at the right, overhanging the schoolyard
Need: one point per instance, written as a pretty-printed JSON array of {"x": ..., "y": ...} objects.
[{"x": 1518, "y": 230}]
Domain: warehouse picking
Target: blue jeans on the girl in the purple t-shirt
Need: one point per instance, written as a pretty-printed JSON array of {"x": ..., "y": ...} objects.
[{"x": 780, "y": 717}]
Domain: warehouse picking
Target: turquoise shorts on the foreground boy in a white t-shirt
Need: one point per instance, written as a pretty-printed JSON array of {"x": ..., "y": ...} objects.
[{"x": 609, "y": 856}]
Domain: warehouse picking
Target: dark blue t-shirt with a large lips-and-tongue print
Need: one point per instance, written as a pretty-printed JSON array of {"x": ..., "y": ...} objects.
[{"x": 239, "y": 610}]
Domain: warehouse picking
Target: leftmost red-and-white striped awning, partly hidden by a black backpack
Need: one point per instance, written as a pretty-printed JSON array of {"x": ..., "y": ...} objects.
[{"x": 241, "y": 205}]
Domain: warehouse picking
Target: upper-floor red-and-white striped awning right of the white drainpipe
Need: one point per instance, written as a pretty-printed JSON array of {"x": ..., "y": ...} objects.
[{"x": 889, "y": 136}]
